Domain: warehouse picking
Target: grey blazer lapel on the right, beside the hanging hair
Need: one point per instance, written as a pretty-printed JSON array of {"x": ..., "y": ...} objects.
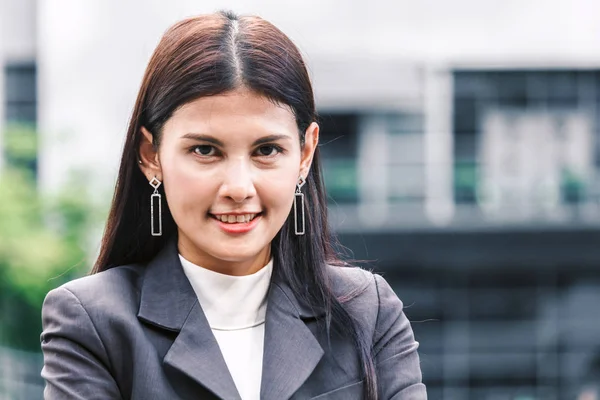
[{"x": 291, "y": 351}]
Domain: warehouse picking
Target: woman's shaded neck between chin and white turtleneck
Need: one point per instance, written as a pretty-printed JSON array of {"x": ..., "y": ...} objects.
[{"x": 233, "y": 266}]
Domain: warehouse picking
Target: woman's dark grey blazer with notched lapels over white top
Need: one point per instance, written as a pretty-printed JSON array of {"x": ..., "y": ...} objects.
[{"x": 138, "y": 332}]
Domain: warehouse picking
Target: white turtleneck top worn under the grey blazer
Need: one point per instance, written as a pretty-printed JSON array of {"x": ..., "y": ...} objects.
[{"x": 235, "y": 307}]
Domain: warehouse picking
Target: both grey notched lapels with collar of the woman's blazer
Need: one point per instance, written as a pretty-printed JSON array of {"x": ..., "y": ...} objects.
[{"x": 291, "y": 351}]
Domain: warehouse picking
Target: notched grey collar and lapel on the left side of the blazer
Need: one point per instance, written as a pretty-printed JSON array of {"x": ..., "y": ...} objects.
[{"x": 168, "y": 301}]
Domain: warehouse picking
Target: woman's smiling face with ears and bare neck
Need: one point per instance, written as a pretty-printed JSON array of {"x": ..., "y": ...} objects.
[{"x": 229, "y": 165}]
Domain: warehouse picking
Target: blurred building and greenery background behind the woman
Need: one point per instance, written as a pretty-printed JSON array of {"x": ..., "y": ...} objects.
[{"x": 461, "y": 152}]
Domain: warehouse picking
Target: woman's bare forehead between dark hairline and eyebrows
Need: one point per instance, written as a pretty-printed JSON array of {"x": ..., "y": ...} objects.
[{"x": 239, "y": 111}]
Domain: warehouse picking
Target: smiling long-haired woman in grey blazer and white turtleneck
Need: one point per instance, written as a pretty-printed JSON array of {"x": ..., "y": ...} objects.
[{"x": 216, "y": 276}]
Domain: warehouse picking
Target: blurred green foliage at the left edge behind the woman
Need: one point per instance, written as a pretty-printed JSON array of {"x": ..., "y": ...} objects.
[{"x": 43, "y": 241}]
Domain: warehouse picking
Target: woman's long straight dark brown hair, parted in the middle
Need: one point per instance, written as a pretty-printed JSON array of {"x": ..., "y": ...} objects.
[{"x": 209, "y": 55}]
